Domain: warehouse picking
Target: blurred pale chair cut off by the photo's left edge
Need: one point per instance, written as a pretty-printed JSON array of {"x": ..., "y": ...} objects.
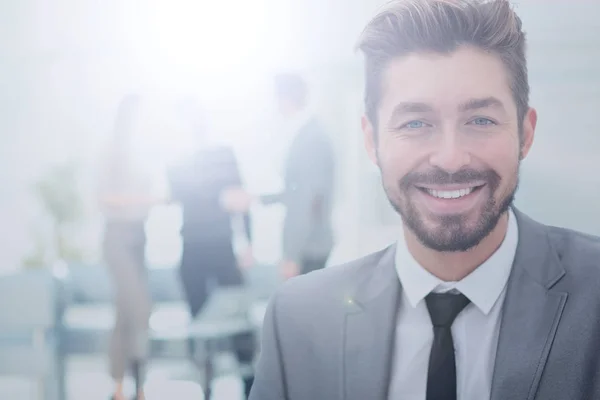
[{"x": 31, "y": 303}]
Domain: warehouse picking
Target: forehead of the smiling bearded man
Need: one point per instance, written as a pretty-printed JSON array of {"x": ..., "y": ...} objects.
[{"x": 445, "y": 80}]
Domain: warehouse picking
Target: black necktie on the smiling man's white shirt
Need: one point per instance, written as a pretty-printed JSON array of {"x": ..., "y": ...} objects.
[{"x": 441, "y": 376}]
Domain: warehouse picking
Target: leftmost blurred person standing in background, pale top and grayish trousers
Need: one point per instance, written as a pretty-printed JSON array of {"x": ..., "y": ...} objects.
[{"x": 126, "y": 195}]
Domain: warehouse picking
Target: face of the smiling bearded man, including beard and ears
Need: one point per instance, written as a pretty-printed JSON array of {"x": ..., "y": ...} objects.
[{"x": 447, "y": 144}]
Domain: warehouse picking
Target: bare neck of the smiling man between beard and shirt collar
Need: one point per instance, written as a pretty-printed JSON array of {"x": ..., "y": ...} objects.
[{"x": 454, "y": 266}]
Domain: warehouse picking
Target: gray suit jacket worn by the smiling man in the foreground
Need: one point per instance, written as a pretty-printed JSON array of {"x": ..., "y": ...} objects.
[{"x": 329, "y": 334}]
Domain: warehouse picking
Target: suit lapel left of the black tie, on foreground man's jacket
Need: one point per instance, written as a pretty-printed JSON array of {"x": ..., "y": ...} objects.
[{"x": 369, "y": 332}]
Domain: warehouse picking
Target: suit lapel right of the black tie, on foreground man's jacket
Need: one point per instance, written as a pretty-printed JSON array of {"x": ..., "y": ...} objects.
[{"x": 531, "y": 314}]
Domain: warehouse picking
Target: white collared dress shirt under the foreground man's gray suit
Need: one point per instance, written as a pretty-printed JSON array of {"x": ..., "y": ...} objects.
[{"x": 475, "y": 330}]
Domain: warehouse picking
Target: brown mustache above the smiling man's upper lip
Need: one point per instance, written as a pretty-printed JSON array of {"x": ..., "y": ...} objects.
[{"x": 440, "y": 177}]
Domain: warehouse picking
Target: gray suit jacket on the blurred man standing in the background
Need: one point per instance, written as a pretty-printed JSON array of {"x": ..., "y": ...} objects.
[{"x": 308, "y": 195}]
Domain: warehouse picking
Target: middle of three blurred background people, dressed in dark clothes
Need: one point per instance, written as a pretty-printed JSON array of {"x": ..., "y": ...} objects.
[{"x": 209, "y": 257}]
